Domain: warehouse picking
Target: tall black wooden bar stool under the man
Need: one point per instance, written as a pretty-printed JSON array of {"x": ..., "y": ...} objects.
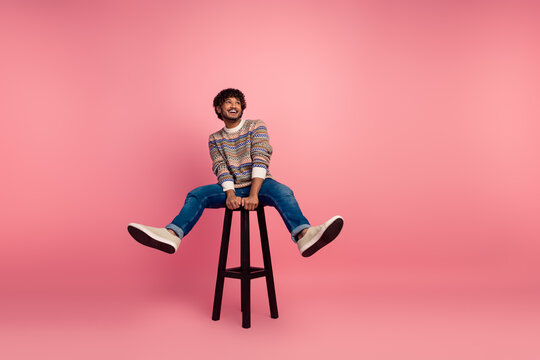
[{"x": 245, "y": 272}]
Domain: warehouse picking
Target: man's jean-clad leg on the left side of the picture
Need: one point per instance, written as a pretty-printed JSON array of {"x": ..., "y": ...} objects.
[{"x": 206, "y": 196}]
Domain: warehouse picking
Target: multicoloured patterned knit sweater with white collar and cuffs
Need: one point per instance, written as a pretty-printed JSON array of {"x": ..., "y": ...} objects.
[{"x": 240, "y": 154}]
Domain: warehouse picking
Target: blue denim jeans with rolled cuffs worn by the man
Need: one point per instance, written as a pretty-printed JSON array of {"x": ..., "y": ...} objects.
[{"x": 271, "y": 193}]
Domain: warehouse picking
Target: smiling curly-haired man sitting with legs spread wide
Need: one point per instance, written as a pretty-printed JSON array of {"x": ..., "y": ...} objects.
[{"x": 240, "y": 153}]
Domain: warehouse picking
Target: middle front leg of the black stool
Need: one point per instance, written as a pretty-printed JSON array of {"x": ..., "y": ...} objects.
[{"x": 245, "y": 269}]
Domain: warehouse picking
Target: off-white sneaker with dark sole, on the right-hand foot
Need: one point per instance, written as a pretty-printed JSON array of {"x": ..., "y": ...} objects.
[{"x": 318, "y": 236}]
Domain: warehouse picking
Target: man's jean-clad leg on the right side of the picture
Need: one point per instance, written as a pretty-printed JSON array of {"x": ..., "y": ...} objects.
[{"x": 281, "y": 197}]
